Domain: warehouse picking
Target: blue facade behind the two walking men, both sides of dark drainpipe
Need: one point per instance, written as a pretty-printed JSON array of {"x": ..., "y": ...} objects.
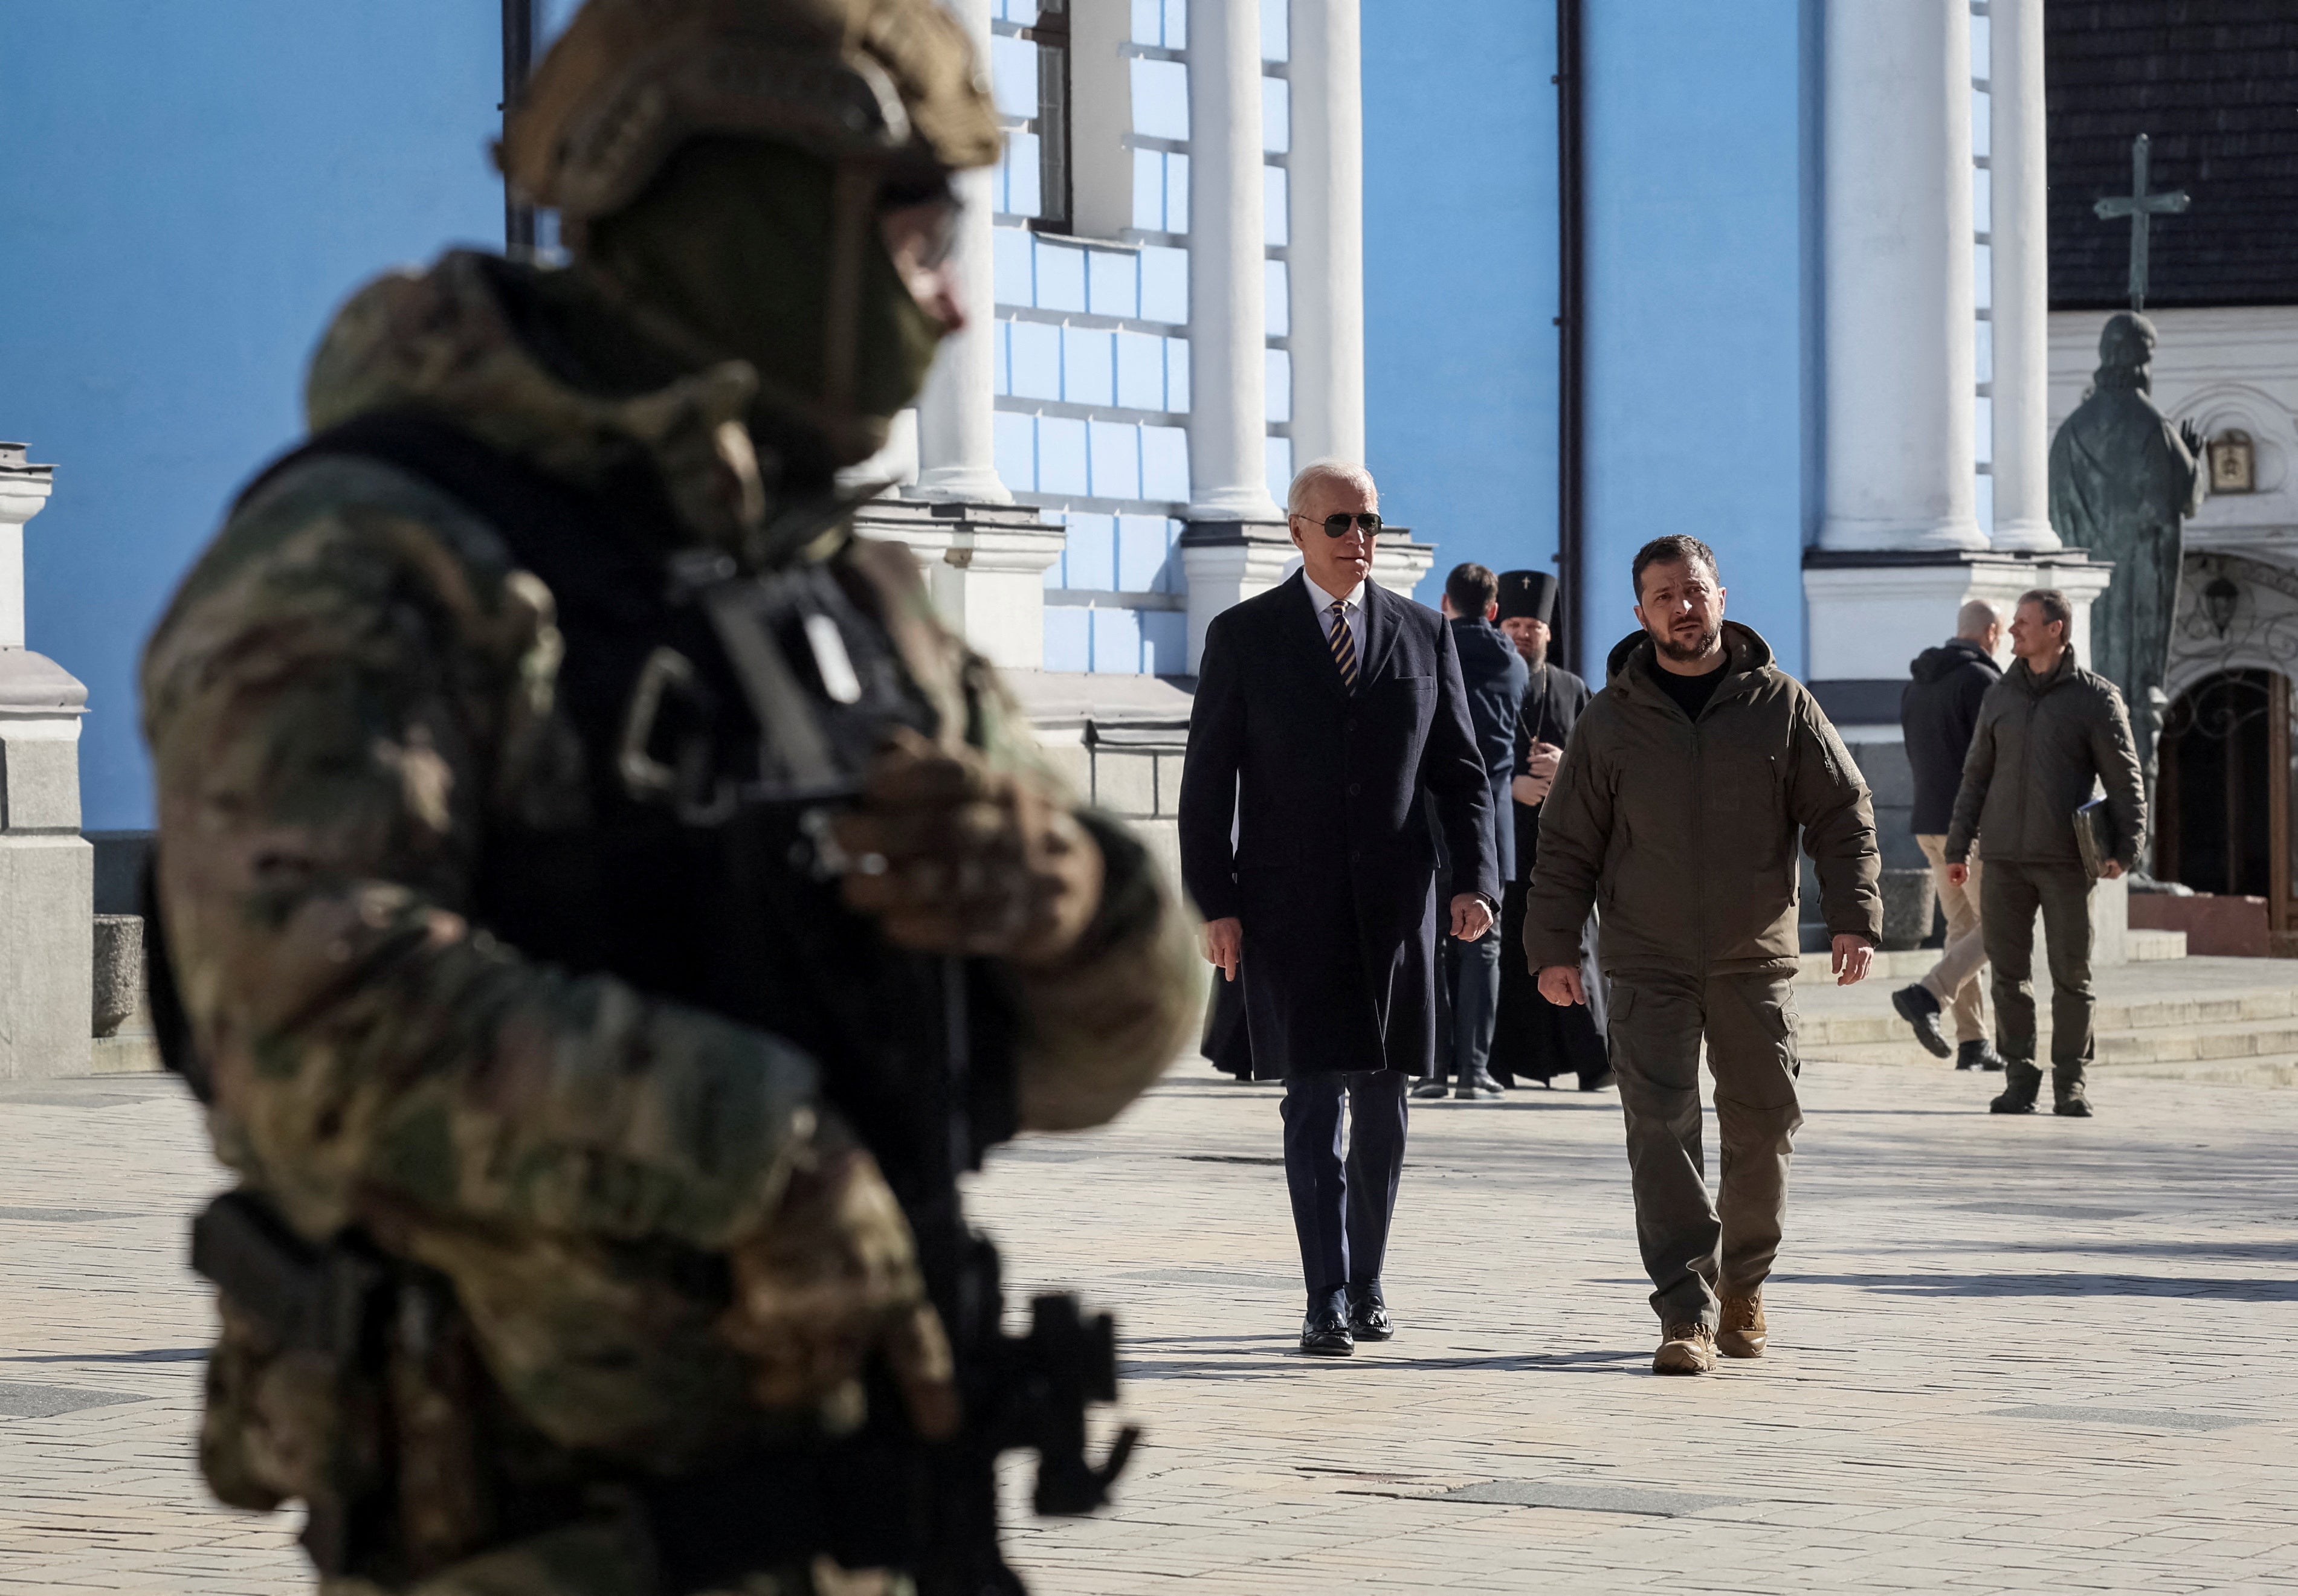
[{"x": 1702, "y": 401}]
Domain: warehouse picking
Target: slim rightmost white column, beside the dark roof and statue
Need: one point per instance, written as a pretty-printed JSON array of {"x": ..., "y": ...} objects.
[{"x": 2021, "y": 277}]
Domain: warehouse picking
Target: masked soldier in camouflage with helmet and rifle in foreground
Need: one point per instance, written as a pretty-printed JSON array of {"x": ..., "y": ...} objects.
[{"x": 606, "y": 908}]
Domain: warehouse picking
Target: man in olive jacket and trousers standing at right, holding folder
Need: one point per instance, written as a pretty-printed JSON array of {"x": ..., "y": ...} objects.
[{"x": 2046, "y": 736}]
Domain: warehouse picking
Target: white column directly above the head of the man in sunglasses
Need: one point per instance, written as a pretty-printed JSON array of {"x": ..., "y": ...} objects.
[{"x": 1327, "y": 231}]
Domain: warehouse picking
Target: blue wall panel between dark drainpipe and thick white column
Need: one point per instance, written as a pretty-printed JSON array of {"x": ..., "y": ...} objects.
[{"x": 1702, "y": 396}]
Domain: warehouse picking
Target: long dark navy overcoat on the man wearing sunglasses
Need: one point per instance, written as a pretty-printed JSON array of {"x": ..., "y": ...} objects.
[{"x": 1334, "y": 865}]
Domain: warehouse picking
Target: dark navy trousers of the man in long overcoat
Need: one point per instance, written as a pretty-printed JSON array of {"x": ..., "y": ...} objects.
[{"x": 1343, "y": 1181}]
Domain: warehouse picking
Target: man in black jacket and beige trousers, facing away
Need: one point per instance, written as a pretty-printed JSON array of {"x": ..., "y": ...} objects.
[{"x": 1936, "y": 715}]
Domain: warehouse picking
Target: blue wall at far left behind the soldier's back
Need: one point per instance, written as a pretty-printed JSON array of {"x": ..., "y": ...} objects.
[{"x": 192, "y": 192}]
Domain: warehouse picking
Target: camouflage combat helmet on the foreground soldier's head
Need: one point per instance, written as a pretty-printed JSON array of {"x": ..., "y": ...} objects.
[{"x": 631, "y": 82}]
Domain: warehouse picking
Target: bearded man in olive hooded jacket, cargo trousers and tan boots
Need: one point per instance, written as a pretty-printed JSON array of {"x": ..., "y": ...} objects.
[{"x": 1679, "y": 803}]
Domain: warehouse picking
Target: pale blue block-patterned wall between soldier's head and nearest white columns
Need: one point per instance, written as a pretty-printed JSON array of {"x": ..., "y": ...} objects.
[{"x": 1090, "y": 350}]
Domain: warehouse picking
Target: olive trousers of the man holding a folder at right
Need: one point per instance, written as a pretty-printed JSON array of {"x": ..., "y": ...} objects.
[{"x": 2010, "y": 897}]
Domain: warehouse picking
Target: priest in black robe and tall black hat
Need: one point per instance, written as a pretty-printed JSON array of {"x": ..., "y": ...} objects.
[{"x": 1534, "y": 1039}]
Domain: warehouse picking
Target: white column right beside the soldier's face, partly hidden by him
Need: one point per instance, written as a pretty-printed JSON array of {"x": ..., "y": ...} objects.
[{"x": 957, "y": 447}]
